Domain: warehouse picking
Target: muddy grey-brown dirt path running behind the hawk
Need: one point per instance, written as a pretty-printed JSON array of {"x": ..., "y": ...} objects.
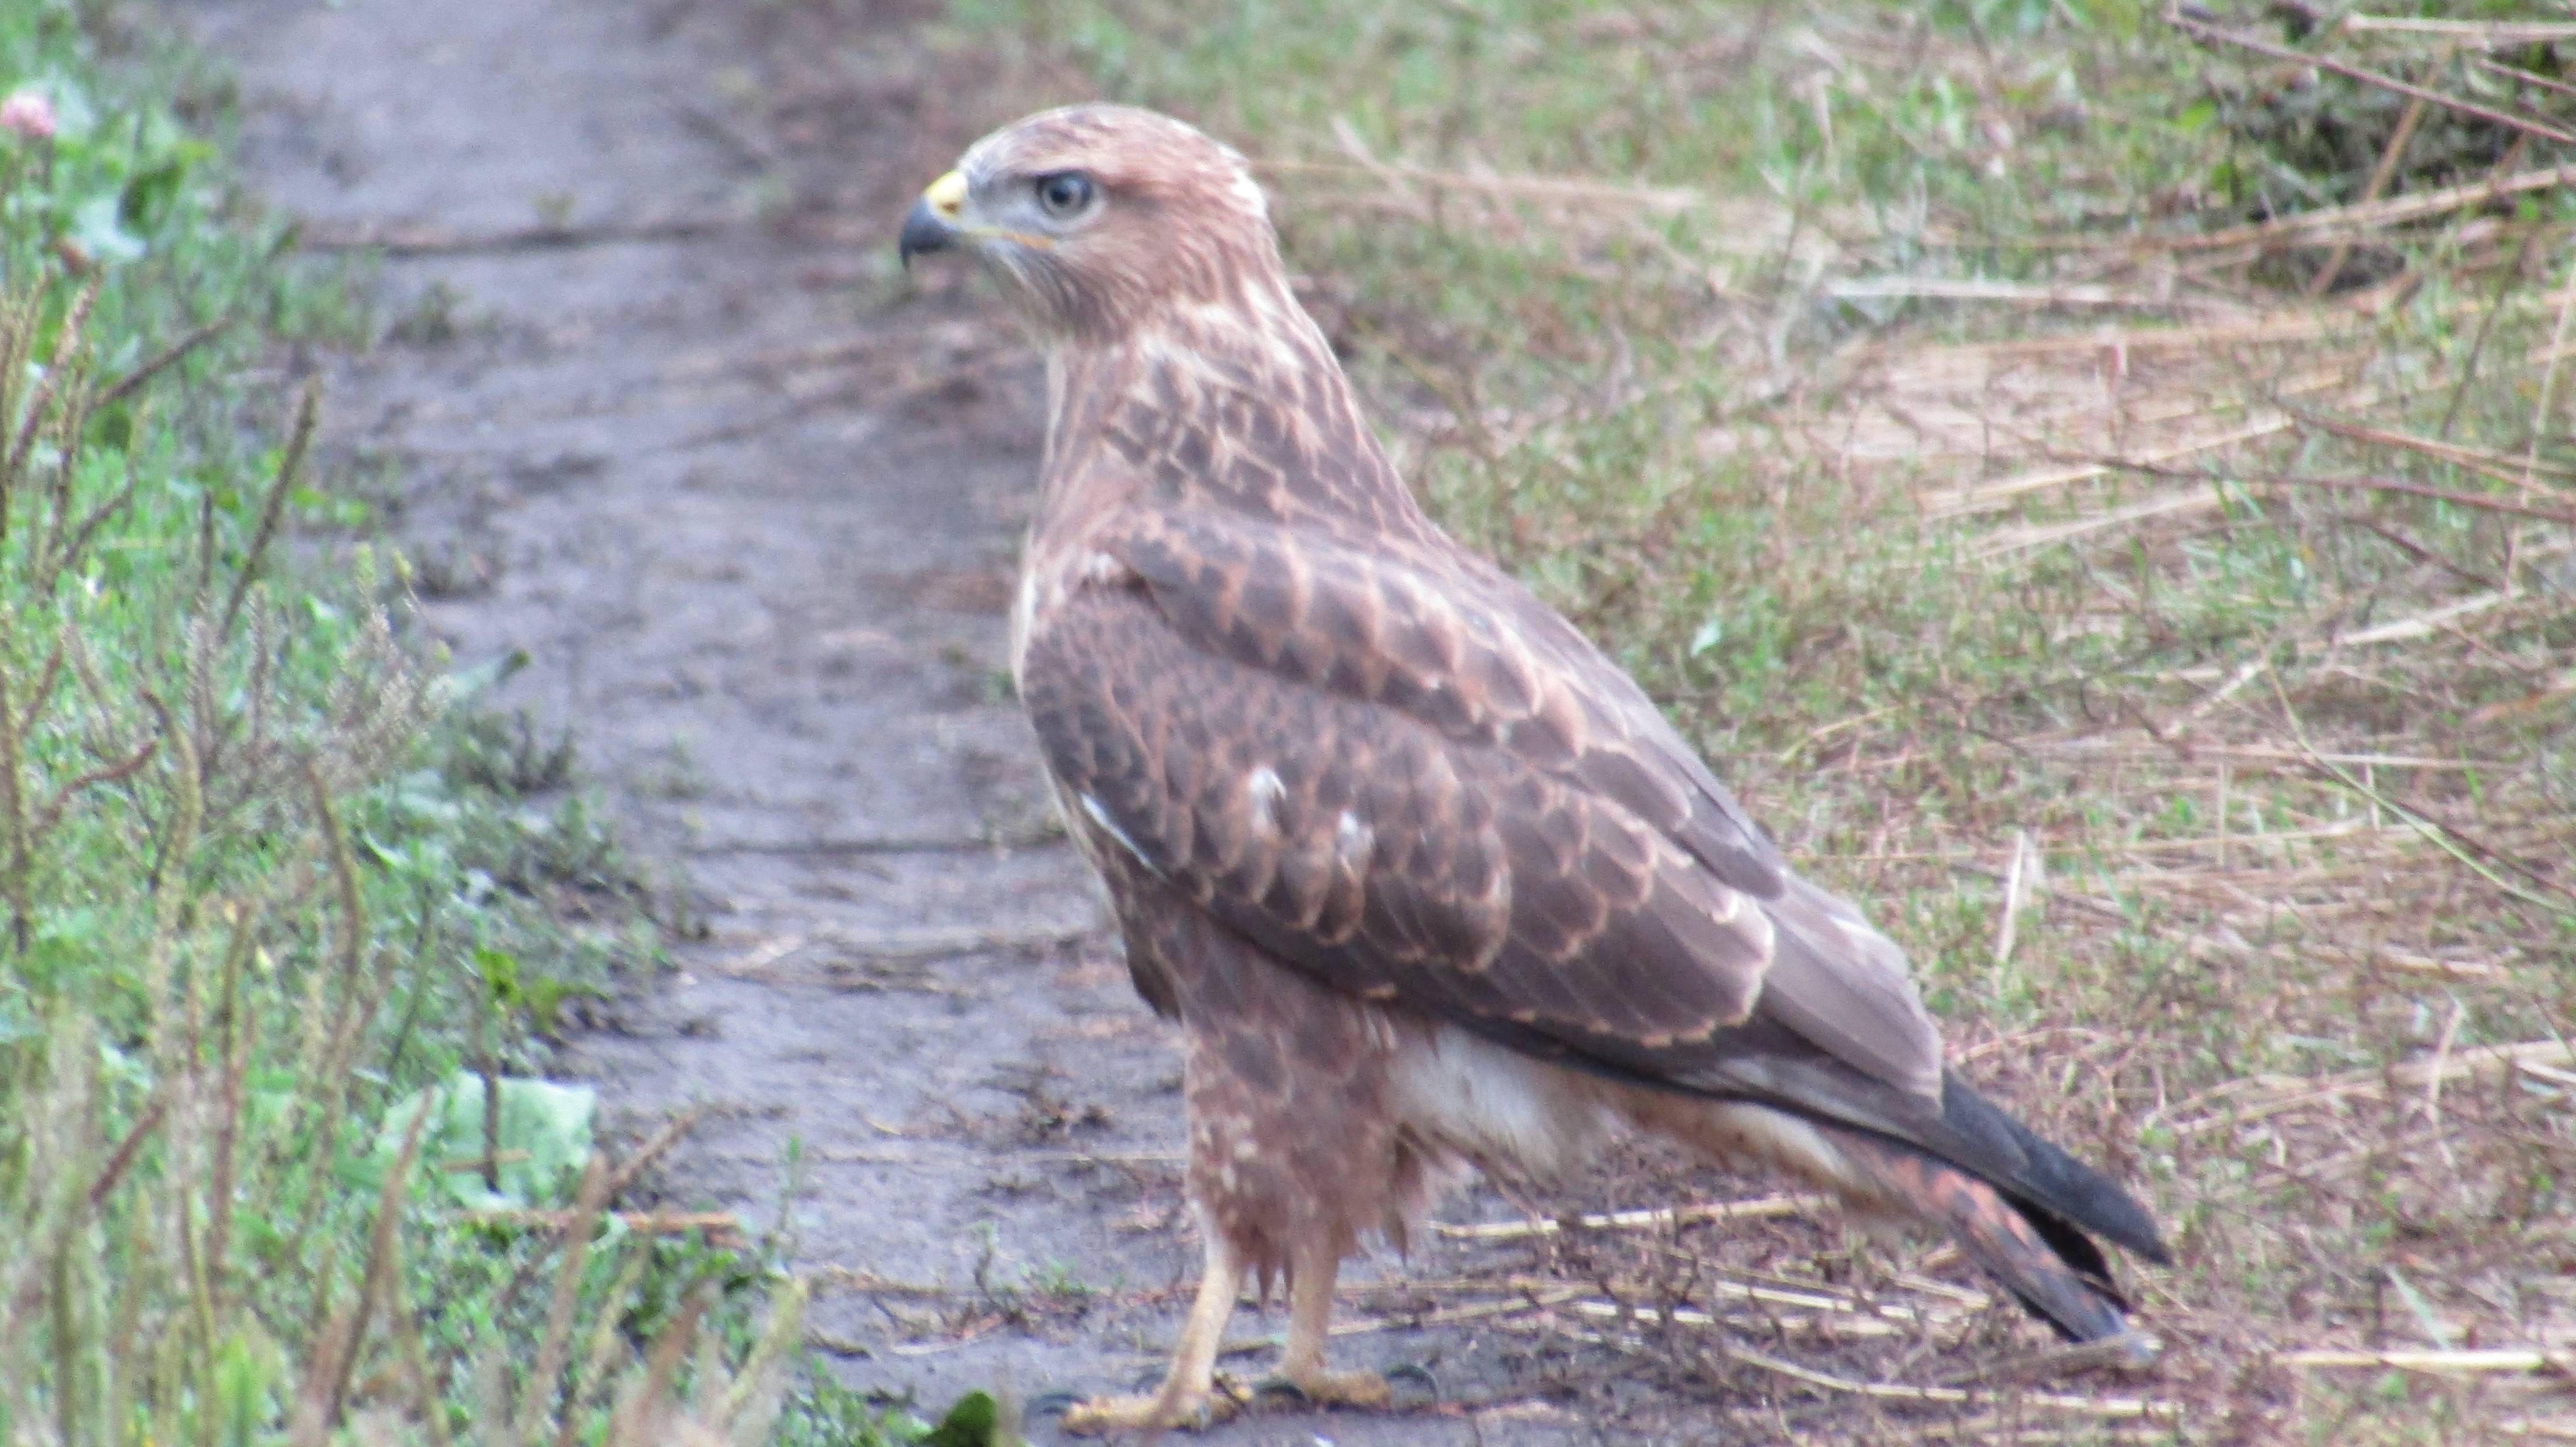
[{"x": 751, "y": 514}]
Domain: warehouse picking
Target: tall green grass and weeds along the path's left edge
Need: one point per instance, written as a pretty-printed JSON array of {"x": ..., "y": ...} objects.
[{"x": 272, "y": 892}]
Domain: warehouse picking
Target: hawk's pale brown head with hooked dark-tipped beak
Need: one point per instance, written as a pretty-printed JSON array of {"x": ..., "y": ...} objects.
[{"x": 1101, "y": 218}]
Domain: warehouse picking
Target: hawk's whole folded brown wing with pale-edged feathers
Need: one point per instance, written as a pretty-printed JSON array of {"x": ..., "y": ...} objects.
[{"x": 1428, "y": 787}]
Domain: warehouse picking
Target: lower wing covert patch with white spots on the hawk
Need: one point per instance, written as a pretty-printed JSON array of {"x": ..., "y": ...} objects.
[{"x": 1385, "y": 856}]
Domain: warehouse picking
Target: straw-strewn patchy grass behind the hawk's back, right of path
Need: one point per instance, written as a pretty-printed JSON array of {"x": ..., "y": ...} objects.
[{"x": 1650, "y": 303}]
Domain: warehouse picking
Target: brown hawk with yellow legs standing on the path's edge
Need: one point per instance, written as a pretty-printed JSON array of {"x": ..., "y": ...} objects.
[{"x": 1423, "y": 877}]
